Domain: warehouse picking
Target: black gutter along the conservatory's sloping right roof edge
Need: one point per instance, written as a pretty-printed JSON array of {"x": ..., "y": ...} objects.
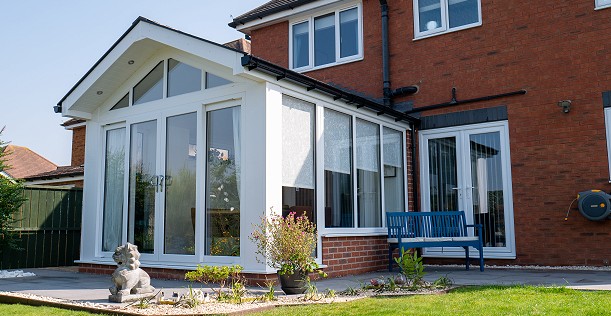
[{"x": 252, "y": 62}]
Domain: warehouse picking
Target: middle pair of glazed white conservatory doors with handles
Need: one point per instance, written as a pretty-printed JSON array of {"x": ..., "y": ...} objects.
[{"x": 162, "y": 187}]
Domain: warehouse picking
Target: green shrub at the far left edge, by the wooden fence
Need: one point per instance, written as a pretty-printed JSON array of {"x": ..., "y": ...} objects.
[{"x": 11, "y": 199}]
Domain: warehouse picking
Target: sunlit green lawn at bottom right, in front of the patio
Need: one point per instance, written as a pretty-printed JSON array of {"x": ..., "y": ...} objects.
[{"x": 489, "y": 300}]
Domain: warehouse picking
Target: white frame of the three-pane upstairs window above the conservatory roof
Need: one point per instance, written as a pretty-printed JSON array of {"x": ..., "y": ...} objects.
[{"x": 338, "y": 60}]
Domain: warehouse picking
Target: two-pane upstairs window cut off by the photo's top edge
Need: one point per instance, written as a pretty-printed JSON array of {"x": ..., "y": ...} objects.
[{"x": 442, "y": 16}]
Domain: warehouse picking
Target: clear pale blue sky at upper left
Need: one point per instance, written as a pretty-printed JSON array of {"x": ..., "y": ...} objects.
[{"x": 47, "y": 46}]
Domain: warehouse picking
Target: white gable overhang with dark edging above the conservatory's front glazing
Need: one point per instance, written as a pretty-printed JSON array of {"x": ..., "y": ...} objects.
[{"x": 137, "y": 44}]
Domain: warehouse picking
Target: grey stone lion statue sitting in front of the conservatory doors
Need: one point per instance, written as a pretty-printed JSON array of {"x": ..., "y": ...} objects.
[{"x": 128, "y": 278}]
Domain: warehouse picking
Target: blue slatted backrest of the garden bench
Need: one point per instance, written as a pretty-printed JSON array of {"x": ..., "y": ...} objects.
[{"x": 426, "y": 224}]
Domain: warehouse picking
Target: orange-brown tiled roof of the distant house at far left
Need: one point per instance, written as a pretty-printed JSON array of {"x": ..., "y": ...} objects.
[{"x": 24, "y": 162}]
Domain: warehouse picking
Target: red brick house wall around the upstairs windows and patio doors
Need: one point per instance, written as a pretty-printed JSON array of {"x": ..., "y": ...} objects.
[{"x": 556, "y": 50}]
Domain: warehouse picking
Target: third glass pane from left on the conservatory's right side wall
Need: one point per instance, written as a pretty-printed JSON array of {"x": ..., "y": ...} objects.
[{"x": 368, "y": 174}]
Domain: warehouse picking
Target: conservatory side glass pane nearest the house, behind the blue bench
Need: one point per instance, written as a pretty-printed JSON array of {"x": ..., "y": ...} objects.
[{"x": 394, "y": 197}]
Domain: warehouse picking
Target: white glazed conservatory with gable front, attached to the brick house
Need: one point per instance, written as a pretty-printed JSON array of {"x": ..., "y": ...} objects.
[{"x": 189, "y": 143}]
